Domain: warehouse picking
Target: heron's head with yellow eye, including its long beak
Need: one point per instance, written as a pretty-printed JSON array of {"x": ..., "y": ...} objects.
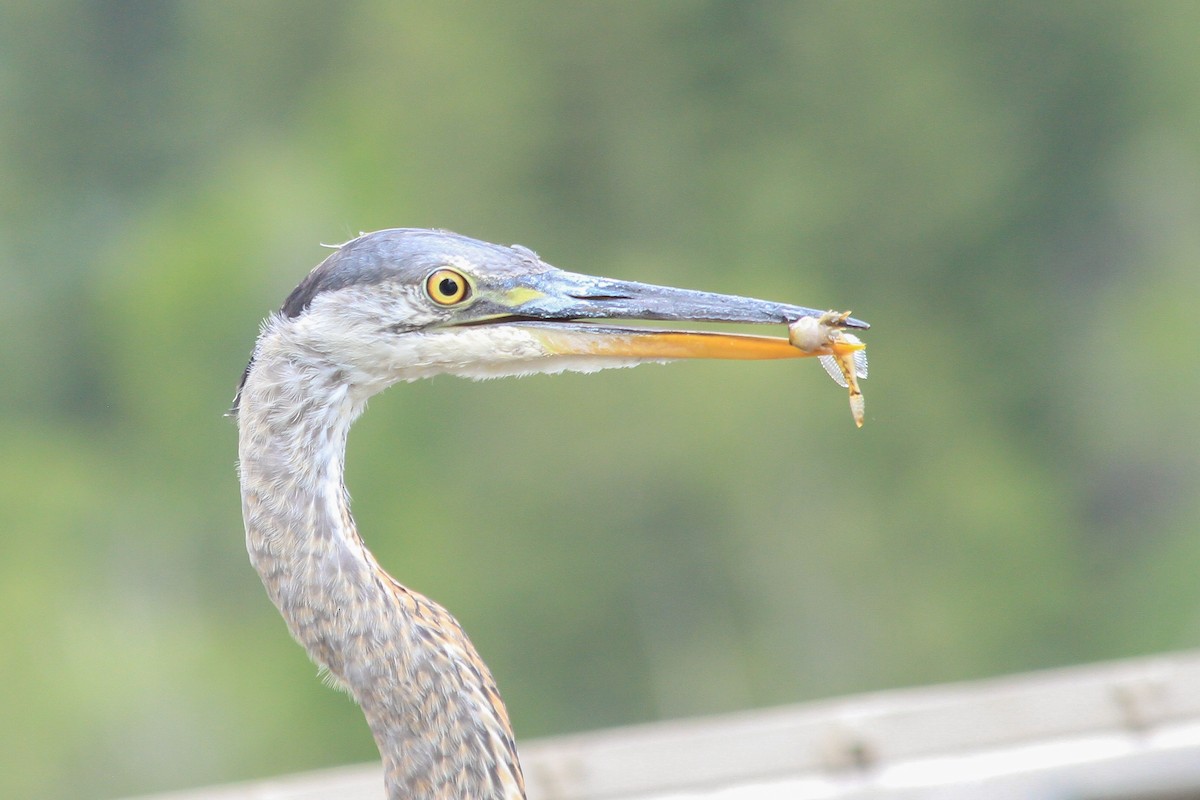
[{"x": 407, "y": 304}]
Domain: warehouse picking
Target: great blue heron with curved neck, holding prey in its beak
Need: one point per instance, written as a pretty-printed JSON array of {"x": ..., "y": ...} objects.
[{"x": 403, "y": 305}]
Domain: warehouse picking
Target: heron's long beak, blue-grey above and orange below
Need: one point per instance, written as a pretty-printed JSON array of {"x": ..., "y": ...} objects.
[{"x": 555, "y": 306}]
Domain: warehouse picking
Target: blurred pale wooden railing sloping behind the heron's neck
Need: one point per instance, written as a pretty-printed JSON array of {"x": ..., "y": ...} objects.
[{"x": 1113, "y": 731}]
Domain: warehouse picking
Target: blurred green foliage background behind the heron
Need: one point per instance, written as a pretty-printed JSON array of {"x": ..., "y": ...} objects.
[{"x": 1010, "y": 193}]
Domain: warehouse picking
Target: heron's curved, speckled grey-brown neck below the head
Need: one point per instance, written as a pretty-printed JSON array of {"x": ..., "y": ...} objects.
[{"x": 430, "y": 701}]
